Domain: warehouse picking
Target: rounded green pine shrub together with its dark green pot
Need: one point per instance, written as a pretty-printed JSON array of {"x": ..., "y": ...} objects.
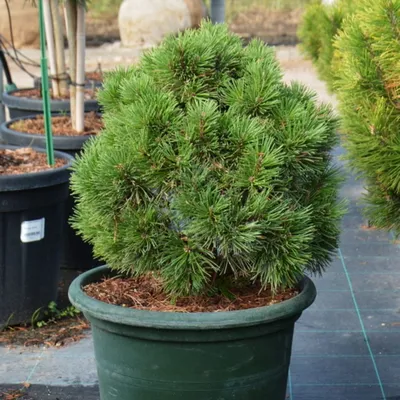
[{"x": 210, "y": 194}]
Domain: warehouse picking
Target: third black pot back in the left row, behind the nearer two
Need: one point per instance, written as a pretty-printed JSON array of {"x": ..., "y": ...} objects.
[{"x": 25, "y": 106}]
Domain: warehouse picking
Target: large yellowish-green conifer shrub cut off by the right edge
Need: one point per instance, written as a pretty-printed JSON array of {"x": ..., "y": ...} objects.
[{"x": 368, "y": 88}]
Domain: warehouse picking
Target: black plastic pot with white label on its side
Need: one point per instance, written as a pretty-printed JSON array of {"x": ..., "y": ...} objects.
[{"x": 32, "y": 211}]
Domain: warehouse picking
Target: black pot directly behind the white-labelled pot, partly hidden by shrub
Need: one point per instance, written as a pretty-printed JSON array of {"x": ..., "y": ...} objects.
[{"x": 77, "y": 254}]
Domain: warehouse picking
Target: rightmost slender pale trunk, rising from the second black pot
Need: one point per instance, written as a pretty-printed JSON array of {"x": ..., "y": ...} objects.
[{"x": 80, "y": 68}]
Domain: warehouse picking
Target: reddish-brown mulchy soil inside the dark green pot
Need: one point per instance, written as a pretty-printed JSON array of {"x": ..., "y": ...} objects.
[{"x": 146, "y": 293}]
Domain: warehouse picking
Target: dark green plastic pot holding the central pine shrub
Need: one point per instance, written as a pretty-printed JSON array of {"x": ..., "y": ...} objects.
[{"x": 147, "y": 355}]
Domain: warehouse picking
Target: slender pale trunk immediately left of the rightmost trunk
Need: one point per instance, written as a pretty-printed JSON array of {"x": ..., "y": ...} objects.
[{"x": 70, "y": 9}]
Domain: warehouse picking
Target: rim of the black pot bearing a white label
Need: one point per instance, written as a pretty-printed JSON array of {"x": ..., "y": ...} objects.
[{"x": 39, "y": 179}]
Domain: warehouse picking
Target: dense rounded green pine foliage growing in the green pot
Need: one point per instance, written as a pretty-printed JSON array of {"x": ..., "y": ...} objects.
[{"x": 210, "y": 169}]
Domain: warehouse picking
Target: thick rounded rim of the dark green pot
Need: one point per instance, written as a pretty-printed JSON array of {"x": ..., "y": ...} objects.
[{"x": 185, "y": 321}]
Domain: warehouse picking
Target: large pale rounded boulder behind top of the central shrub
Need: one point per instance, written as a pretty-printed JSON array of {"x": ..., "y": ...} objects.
[{"x": 144, "y": 24}]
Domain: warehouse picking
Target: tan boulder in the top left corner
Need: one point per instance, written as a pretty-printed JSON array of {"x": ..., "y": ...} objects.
[{"x": 25, "y": 23}]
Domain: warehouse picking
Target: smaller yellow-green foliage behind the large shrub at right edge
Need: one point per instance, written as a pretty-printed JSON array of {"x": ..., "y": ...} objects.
[{"x": 319, "y": 26}]
